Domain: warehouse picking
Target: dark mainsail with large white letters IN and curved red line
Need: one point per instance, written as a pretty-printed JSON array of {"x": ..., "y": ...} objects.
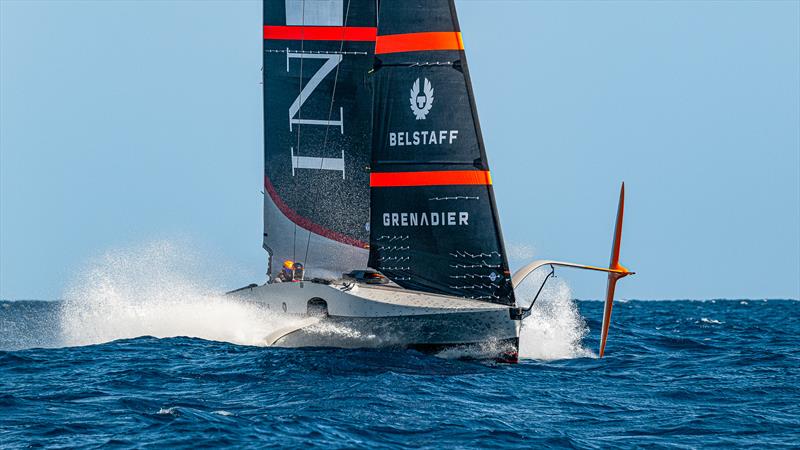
[{"x": 317, "y": 130}]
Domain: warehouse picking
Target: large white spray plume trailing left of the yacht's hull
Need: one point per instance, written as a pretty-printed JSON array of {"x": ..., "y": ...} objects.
[{"x": 157, "y": 290}]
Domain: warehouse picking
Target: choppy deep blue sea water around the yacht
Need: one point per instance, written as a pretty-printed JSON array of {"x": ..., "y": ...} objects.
[{"x": 676, "y": 374}]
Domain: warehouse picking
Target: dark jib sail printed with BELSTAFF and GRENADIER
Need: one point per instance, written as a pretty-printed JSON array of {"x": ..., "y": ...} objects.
[{"x": 434, "y": 222}]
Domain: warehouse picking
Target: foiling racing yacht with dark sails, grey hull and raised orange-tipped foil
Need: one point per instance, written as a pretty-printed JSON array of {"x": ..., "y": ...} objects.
[{"x": 377, "y": 184}]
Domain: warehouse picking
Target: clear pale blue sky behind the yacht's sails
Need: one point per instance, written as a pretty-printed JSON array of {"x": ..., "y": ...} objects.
[{"x": 127, "y": 122}]
